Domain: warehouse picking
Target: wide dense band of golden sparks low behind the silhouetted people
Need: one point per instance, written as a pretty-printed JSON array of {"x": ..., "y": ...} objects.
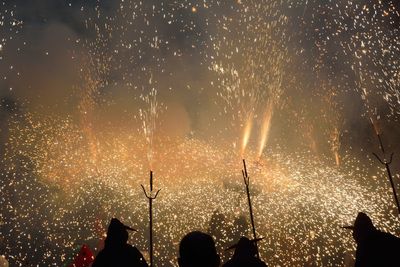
[{"x": 48, "y": 161}]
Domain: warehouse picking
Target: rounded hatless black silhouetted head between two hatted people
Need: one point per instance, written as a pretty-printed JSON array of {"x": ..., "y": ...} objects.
[{"x": 197, "y": 249}]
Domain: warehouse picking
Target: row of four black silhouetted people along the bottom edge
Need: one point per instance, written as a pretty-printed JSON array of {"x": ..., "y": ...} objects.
[{"x": 197, "y": 249}]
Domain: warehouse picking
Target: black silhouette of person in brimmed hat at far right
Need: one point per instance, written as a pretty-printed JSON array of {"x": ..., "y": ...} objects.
[{"x": 374, "y": 248}]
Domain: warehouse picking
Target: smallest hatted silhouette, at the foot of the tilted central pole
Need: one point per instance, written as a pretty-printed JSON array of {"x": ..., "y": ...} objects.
[{"x": 245, "y": 255}]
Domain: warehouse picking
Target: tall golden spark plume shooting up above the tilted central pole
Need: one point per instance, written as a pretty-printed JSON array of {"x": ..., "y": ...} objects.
[{"x": 250, "y": 70}]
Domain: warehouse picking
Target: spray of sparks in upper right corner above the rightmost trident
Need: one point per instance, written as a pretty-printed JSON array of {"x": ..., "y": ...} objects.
[{"x": 366, "y": 37}]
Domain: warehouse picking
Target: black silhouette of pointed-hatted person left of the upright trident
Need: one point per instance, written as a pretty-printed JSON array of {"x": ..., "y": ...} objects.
[{"x": 117, "y": 252}]
